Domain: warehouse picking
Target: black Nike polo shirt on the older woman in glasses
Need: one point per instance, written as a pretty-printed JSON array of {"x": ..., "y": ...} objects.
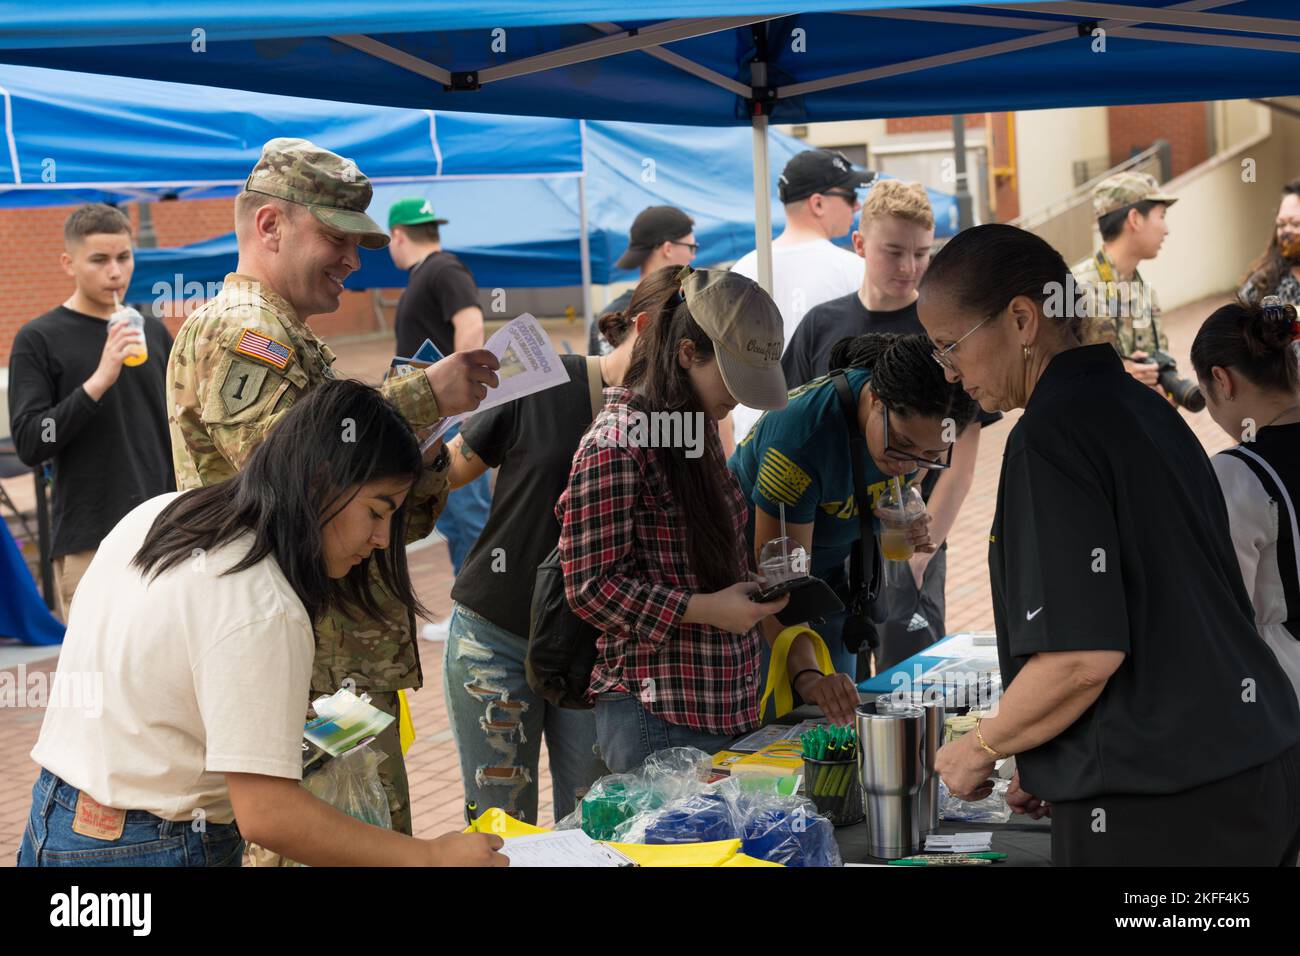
[{"x": 1112, "y": 535}]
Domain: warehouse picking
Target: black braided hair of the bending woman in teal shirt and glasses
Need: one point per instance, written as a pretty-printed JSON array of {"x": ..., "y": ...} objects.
[{"x": 905, "y": 377}]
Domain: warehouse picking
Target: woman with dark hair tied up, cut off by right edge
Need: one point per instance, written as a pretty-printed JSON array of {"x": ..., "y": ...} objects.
[{"x": 1246, "y": 361}]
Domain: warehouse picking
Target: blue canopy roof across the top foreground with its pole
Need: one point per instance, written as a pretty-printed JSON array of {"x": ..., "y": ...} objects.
[{"x": 699, "y": 62}]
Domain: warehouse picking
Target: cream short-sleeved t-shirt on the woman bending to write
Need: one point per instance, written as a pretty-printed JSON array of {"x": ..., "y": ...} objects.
[{"x": 200, "y": 674}]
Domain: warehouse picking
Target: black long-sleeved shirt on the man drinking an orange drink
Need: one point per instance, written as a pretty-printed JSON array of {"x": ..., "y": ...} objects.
[{"x": 109, "y": 456}]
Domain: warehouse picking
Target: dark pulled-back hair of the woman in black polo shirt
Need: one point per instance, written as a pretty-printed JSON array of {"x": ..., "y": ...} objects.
[{"x": 986, "y": 267}]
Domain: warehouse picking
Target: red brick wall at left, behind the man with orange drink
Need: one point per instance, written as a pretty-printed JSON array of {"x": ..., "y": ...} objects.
[{"x": 32, "y": 280}]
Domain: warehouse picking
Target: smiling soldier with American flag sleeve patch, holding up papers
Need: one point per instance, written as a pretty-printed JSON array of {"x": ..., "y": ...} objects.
[{"x": 244, "y": 358}]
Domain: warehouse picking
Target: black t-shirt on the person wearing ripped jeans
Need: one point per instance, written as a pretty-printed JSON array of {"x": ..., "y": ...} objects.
[{"x": 534, "y": 443}]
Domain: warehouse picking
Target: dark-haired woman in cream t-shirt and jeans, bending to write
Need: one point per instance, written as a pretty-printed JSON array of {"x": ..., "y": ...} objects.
[{"x": 177, "y": 708}]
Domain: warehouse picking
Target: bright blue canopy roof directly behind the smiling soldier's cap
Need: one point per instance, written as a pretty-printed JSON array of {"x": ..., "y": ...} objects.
[{"x": 77, "y": 139}]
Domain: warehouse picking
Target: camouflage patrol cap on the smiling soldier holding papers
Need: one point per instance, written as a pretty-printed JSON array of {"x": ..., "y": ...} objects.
[{"x": 331, "y": 187}]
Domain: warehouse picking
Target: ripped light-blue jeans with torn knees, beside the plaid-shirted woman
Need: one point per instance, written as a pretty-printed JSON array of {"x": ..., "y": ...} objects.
[{"x": 499, "y": 724}]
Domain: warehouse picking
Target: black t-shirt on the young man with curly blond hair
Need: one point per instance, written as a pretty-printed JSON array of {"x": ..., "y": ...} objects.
[{"x": 808, "y": 354}]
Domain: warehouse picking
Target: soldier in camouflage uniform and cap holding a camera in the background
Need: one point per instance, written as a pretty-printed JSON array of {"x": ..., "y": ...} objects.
[{"x": 1124, "y": 310}]
